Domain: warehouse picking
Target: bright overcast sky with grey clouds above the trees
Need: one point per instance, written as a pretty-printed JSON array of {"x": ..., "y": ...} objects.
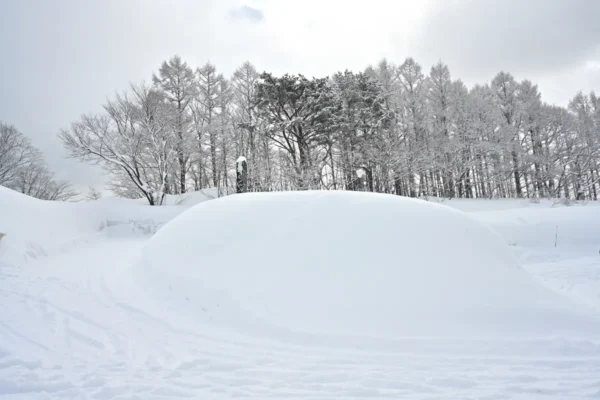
[{"x": 62, "y": 58}]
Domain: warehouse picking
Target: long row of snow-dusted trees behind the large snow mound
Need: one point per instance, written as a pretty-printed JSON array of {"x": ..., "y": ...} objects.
[{"x": 390, "y": 128}]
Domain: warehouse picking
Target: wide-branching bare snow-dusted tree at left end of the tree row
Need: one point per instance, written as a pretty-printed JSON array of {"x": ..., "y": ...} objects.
[{"x": 131, "y": 140}]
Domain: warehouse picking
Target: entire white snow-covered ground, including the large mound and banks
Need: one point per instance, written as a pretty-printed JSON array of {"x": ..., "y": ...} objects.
[{"x": 325, "y": 295}]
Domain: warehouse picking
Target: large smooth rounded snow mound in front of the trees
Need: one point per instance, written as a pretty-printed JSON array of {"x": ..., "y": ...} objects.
[{"x": 346, "y": 263}]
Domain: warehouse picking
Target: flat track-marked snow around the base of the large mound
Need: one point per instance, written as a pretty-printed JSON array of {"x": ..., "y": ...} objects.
[{"x": 90, "y": 334}]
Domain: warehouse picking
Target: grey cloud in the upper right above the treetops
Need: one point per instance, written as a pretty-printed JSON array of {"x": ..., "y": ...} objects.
[{"x": 481, "y": 37}]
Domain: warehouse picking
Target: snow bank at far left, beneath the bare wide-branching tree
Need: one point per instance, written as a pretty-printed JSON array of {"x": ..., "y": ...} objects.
[{"x": 33, "y": 227}]
